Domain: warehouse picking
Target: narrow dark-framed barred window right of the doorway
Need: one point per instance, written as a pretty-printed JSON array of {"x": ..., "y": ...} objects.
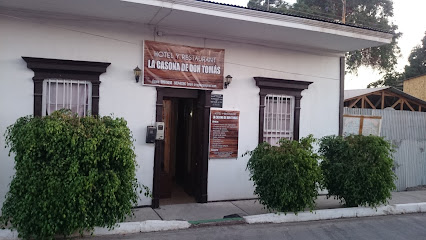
[{"x": 279, "y": 108}]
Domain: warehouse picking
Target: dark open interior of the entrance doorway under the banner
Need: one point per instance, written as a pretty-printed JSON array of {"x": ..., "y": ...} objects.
[{"x": 177, "y": 167}]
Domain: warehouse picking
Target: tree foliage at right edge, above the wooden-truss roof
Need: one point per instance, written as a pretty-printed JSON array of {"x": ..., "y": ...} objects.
[{"x": 416, "y": 67}]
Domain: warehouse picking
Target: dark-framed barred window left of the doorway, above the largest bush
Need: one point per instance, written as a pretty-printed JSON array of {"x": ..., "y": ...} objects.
[{"x": 66, "y": 84}]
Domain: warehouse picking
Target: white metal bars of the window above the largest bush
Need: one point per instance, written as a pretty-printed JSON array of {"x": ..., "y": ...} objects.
[{"x": 68, "y": 94}]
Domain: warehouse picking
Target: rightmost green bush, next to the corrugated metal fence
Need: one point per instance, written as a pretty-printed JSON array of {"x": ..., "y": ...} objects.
[{"x": 358, "y": 169}]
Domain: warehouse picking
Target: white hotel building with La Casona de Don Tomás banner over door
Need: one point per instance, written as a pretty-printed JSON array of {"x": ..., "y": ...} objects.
[{"x": 287, "y": 73}]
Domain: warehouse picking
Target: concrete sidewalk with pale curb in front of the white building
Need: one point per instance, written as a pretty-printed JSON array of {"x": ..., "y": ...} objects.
[{"x": 182, "y": 216}]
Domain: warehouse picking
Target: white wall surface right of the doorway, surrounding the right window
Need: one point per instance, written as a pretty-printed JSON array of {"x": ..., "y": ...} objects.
[{"x": 319, "y": 105}]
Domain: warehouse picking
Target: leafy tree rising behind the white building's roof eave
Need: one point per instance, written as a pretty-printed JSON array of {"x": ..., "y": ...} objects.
[{"x": 374, "y": 14}]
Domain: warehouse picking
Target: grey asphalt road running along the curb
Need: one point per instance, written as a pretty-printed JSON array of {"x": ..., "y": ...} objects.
[{"x": 410, "y": 227}]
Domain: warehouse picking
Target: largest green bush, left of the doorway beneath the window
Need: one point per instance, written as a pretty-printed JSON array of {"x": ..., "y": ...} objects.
[{"x": 72, "y": 174}]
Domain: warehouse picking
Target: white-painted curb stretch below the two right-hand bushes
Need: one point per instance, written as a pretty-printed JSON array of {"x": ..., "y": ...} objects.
[{"x": 328, "y": 214}]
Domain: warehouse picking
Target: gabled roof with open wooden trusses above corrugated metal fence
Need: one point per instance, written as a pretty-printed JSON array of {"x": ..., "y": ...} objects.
[{"x": 382, "y": 98}]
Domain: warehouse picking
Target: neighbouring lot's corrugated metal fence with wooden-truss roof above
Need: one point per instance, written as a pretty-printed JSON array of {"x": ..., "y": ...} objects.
[{"x": 398, "y": 117}]
